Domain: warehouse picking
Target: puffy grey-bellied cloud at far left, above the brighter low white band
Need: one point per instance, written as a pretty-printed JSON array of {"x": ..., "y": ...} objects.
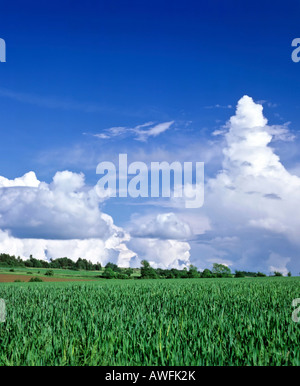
[{"x": 63, "y": 209}]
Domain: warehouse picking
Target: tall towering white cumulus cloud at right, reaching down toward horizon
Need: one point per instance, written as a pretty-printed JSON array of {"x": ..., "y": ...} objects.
[{"x": 253, "y": 193}]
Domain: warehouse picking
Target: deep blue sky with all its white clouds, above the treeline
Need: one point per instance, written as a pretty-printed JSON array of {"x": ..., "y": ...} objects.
[{"x": 160, "y": 81}]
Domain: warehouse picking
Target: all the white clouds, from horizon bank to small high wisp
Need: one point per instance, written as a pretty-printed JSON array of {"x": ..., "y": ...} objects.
[{"x": 250, "y": 215}]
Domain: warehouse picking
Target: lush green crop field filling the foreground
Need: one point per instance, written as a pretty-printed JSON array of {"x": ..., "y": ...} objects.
[{"x": 151, "y": 322}]
